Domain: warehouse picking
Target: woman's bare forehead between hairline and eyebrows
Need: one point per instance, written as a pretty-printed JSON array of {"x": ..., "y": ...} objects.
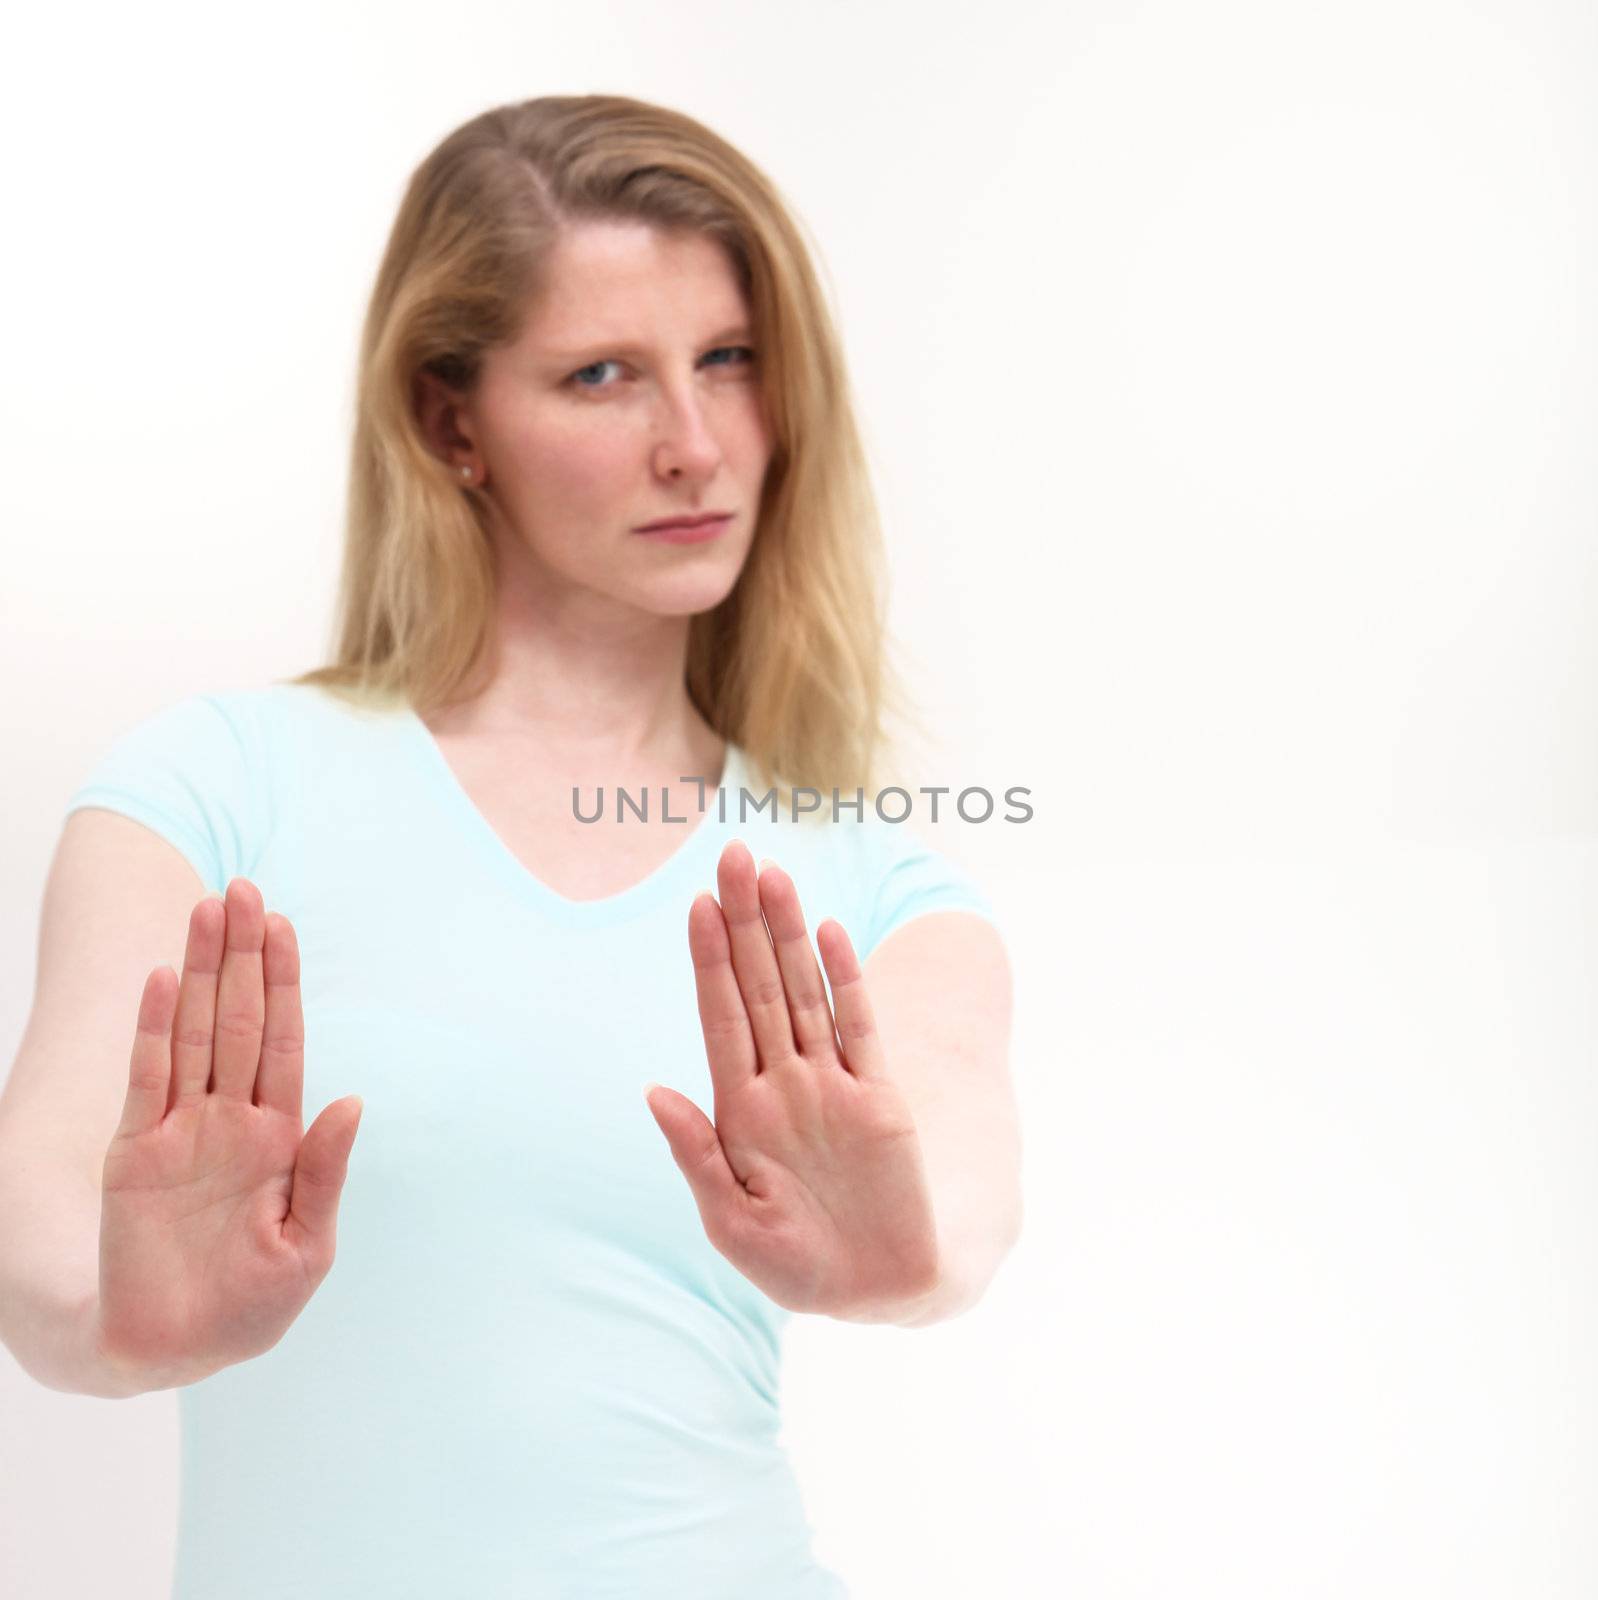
[{"x": 626, "y": 281}]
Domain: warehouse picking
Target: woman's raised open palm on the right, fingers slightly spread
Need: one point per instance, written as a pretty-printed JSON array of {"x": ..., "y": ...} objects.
[{"x": 812, "y": 1180}]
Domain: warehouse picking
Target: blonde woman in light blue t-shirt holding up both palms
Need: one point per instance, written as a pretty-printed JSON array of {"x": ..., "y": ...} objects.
[{"x": 549, "y": 1359}]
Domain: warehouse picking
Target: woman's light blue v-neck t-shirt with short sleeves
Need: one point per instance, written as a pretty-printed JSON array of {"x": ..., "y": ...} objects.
[{"x": 529, "y": 1374}]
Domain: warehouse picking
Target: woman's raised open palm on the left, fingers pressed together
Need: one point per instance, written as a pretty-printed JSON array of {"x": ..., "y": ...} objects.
[{"x": 218, "y": 1212}]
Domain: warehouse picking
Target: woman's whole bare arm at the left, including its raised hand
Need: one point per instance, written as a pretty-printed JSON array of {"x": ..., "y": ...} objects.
[{"x": 180, "y": 1108}]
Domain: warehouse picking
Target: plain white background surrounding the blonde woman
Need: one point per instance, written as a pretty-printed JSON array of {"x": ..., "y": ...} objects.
[{"x": 1229, "y": 377}]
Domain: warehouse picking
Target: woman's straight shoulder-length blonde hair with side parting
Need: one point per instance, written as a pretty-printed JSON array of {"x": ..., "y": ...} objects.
[{"x": 793, "y": 665}]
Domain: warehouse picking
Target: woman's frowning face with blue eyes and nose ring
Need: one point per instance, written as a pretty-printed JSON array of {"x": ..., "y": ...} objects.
[{"x": 631, "y": 394}]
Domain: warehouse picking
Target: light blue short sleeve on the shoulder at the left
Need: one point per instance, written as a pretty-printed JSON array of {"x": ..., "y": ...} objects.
[{"x": 186, "y": 774}]
